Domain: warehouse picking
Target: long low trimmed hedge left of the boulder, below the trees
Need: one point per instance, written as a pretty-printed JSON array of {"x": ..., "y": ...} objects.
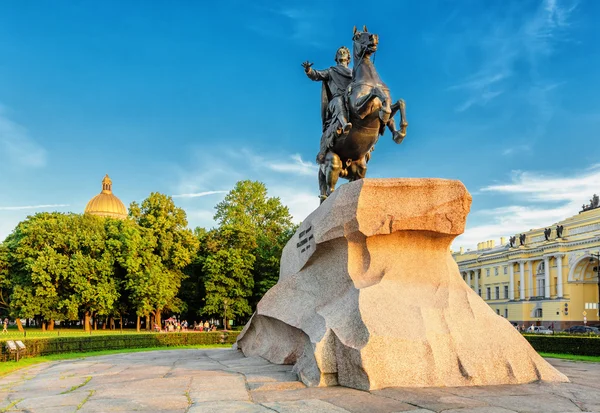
[{"x": 56, "y": 345}]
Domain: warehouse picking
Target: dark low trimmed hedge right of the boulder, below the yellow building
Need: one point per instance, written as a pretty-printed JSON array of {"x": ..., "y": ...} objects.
[{"x": 579, "y": 345}]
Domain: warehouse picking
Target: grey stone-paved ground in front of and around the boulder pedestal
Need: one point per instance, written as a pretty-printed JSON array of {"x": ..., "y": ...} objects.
[{"x": 224, "y": 381}]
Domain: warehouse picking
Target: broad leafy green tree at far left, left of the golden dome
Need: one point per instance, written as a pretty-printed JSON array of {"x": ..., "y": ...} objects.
[{"x": 59, "y": 268}]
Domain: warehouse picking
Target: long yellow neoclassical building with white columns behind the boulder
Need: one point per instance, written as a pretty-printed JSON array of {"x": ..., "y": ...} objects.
[{"x": 545, "y": 276}]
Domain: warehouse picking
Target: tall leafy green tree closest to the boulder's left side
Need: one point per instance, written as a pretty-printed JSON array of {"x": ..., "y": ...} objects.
[{"x": 253, "y": 229}]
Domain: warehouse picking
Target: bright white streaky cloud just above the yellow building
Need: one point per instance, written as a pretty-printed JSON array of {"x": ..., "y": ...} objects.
[{"x": 540, "y": 200}]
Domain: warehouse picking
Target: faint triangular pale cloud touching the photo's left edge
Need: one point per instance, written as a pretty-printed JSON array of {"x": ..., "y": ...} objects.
[{"x": 16, "y": 146}]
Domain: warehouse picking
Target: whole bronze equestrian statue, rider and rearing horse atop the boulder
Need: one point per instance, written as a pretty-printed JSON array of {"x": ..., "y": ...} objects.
[{"x": 355, "y": 112}]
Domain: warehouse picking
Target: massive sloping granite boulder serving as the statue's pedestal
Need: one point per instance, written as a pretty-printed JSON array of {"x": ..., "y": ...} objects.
[{"x": 369, "y": 297}]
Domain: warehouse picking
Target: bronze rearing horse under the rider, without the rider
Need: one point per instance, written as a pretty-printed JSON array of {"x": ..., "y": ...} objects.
[{"x": 370, "y": 111}]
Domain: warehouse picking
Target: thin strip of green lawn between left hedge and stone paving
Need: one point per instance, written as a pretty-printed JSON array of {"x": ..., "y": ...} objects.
[{"x": 10, "y": 366}]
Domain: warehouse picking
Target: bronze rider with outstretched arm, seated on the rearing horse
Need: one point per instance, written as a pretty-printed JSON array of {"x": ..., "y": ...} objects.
[{"x": 335, "y": 80}]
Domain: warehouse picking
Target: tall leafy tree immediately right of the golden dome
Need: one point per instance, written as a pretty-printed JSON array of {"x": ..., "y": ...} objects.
[{"x": 175, "y": 246}]
